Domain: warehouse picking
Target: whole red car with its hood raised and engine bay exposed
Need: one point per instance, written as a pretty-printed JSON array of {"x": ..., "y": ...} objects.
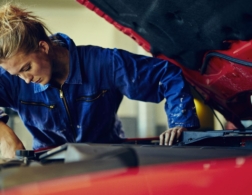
[{"x": 211, "y": 42}]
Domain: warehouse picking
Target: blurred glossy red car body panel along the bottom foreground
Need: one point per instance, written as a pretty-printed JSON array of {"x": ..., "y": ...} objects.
[{"x": 226, "y": 176}]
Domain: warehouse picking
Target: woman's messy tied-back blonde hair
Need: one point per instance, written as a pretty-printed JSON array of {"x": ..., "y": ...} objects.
[{"x": 20, "y": 31}]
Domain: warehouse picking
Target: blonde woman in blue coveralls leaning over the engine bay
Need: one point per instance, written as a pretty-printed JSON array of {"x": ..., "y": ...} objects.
[{"x": 68, "y": 93}]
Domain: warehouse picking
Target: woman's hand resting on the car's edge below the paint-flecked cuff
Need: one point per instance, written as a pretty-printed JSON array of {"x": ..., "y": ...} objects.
[{"x": 168, "y": 136}]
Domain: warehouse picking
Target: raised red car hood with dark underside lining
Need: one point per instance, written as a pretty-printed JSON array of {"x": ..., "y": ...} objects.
[{"x": 209, "y": 40}]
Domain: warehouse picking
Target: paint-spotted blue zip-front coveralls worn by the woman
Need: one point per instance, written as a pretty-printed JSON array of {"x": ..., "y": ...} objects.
[{"x": 85, "y": 108}]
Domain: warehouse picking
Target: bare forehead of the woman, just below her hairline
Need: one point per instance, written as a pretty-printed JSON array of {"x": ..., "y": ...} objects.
[{"x": 14, "y": 64}]
